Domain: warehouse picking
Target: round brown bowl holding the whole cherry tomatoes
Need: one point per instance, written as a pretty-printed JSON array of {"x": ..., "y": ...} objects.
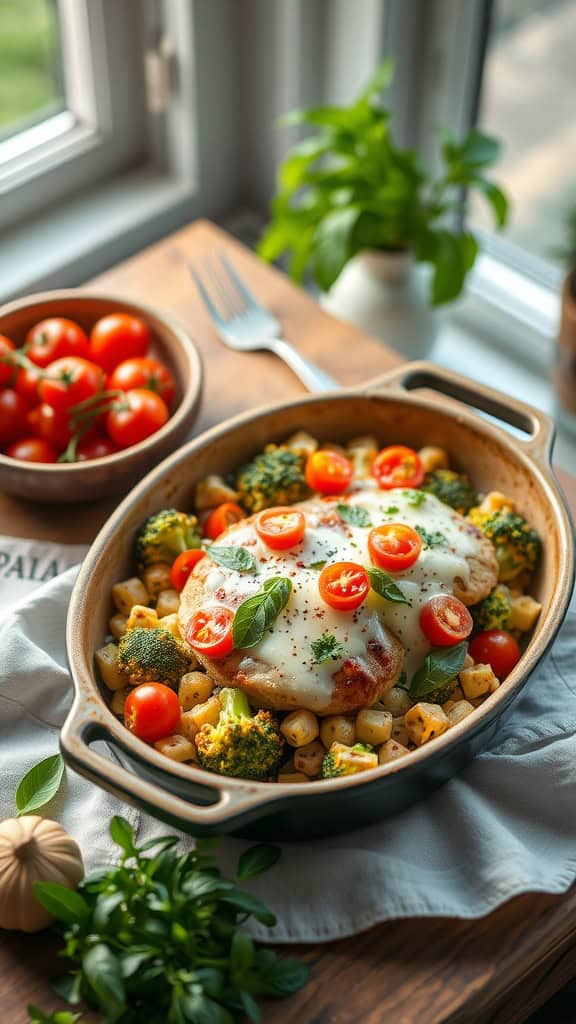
[{"x": 85, "y": 482}]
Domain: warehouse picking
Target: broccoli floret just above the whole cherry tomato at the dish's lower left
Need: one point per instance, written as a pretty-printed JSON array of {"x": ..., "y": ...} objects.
[{"x": 149, "y": 656}]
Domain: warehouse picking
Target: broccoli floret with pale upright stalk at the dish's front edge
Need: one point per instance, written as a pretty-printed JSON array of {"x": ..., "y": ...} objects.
[{"x": 242, "y": 745}]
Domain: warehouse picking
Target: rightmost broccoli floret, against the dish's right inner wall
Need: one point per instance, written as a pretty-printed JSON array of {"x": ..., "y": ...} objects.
[{"x": 517, "y": 545}]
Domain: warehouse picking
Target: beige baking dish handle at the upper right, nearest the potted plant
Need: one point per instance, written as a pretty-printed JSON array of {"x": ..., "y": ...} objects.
[{"x": 539, "y": 429}]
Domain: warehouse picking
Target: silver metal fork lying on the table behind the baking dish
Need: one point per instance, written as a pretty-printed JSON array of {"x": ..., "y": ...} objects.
[{"x": 244, "y": 324}]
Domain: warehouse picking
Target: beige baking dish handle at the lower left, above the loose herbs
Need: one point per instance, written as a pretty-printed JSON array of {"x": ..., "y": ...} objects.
[{"x": 217, "y": 803}]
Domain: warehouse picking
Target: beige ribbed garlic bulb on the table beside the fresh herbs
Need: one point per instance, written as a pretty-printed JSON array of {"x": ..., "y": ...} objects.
[{"x": 33, "y": 849}]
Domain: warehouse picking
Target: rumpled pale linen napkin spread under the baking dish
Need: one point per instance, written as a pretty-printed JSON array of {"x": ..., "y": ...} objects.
[{"x": 507, "y": 826}]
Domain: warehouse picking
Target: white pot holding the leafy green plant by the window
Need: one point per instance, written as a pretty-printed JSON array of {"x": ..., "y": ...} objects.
[{"x": 386, "y": 294}]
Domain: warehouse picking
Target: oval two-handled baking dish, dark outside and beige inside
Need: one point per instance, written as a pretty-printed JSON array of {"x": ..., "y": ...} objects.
[{"x": 418, "y": 405}]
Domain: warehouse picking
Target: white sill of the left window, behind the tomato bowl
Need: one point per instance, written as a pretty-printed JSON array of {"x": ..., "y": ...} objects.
[{"x": 79, "y": 240}]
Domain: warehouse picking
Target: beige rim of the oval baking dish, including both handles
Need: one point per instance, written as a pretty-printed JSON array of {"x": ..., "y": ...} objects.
[{"x": 91, "y": 718}]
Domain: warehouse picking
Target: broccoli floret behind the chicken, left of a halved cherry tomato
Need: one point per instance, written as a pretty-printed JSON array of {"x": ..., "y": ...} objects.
[{"x": 276, "y": 477}]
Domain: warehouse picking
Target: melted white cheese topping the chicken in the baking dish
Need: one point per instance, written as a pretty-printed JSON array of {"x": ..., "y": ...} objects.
[{"x": 330, "y": 539}]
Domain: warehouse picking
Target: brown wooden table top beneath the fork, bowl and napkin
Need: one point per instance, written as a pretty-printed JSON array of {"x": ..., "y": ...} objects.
[{"x": 497, "y": 970}]
